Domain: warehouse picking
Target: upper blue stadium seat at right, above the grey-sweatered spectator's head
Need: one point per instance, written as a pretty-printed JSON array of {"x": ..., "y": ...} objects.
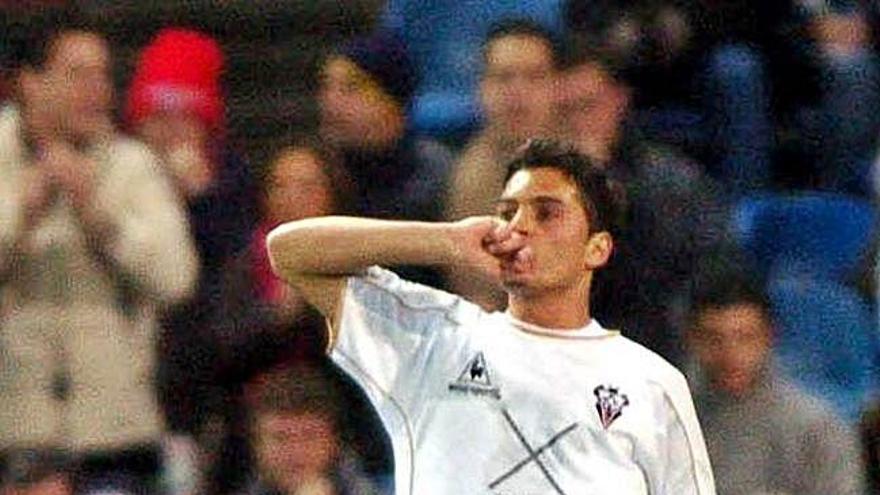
[{"x": 821, "y": 234}]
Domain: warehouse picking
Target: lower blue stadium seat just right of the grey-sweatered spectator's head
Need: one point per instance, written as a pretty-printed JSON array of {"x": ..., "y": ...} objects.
[{"x": 826, "y": 340}]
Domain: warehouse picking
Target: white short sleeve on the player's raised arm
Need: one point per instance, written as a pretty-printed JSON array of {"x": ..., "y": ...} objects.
[{"x": 390, "y": 329}]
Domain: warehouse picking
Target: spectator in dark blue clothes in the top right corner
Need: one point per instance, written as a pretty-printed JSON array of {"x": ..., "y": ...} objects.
[{"x": 835, "y": 133}]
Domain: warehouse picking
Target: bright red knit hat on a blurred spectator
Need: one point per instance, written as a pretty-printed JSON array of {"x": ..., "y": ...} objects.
[{"x": 179, "y": 71}]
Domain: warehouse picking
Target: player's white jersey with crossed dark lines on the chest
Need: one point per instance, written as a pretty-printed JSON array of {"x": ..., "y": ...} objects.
[{"x": 480, "y": 403}]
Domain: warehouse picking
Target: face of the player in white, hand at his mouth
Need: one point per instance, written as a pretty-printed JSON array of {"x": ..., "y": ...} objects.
[{"x": 544, "y": 206}]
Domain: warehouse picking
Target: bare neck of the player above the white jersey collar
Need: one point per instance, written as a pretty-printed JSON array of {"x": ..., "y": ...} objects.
[{"x": 569, "y": 309}]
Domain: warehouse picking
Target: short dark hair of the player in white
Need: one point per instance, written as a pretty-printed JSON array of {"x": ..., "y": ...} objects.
[{"x": 602, "y": 197}]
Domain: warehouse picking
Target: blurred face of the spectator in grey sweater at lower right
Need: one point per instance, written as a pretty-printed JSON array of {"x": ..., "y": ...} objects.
[{"x": 732, "y": 344}]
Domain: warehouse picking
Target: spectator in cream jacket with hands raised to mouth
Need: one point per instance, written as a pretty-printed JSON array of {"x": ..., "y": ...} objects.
[{"x": 93, "y": 244}]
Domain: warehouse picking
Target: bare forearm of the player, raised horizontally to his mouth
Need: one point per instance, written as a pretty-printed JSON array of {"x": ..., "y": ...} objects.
[{"x": 345, "y": 245}]
